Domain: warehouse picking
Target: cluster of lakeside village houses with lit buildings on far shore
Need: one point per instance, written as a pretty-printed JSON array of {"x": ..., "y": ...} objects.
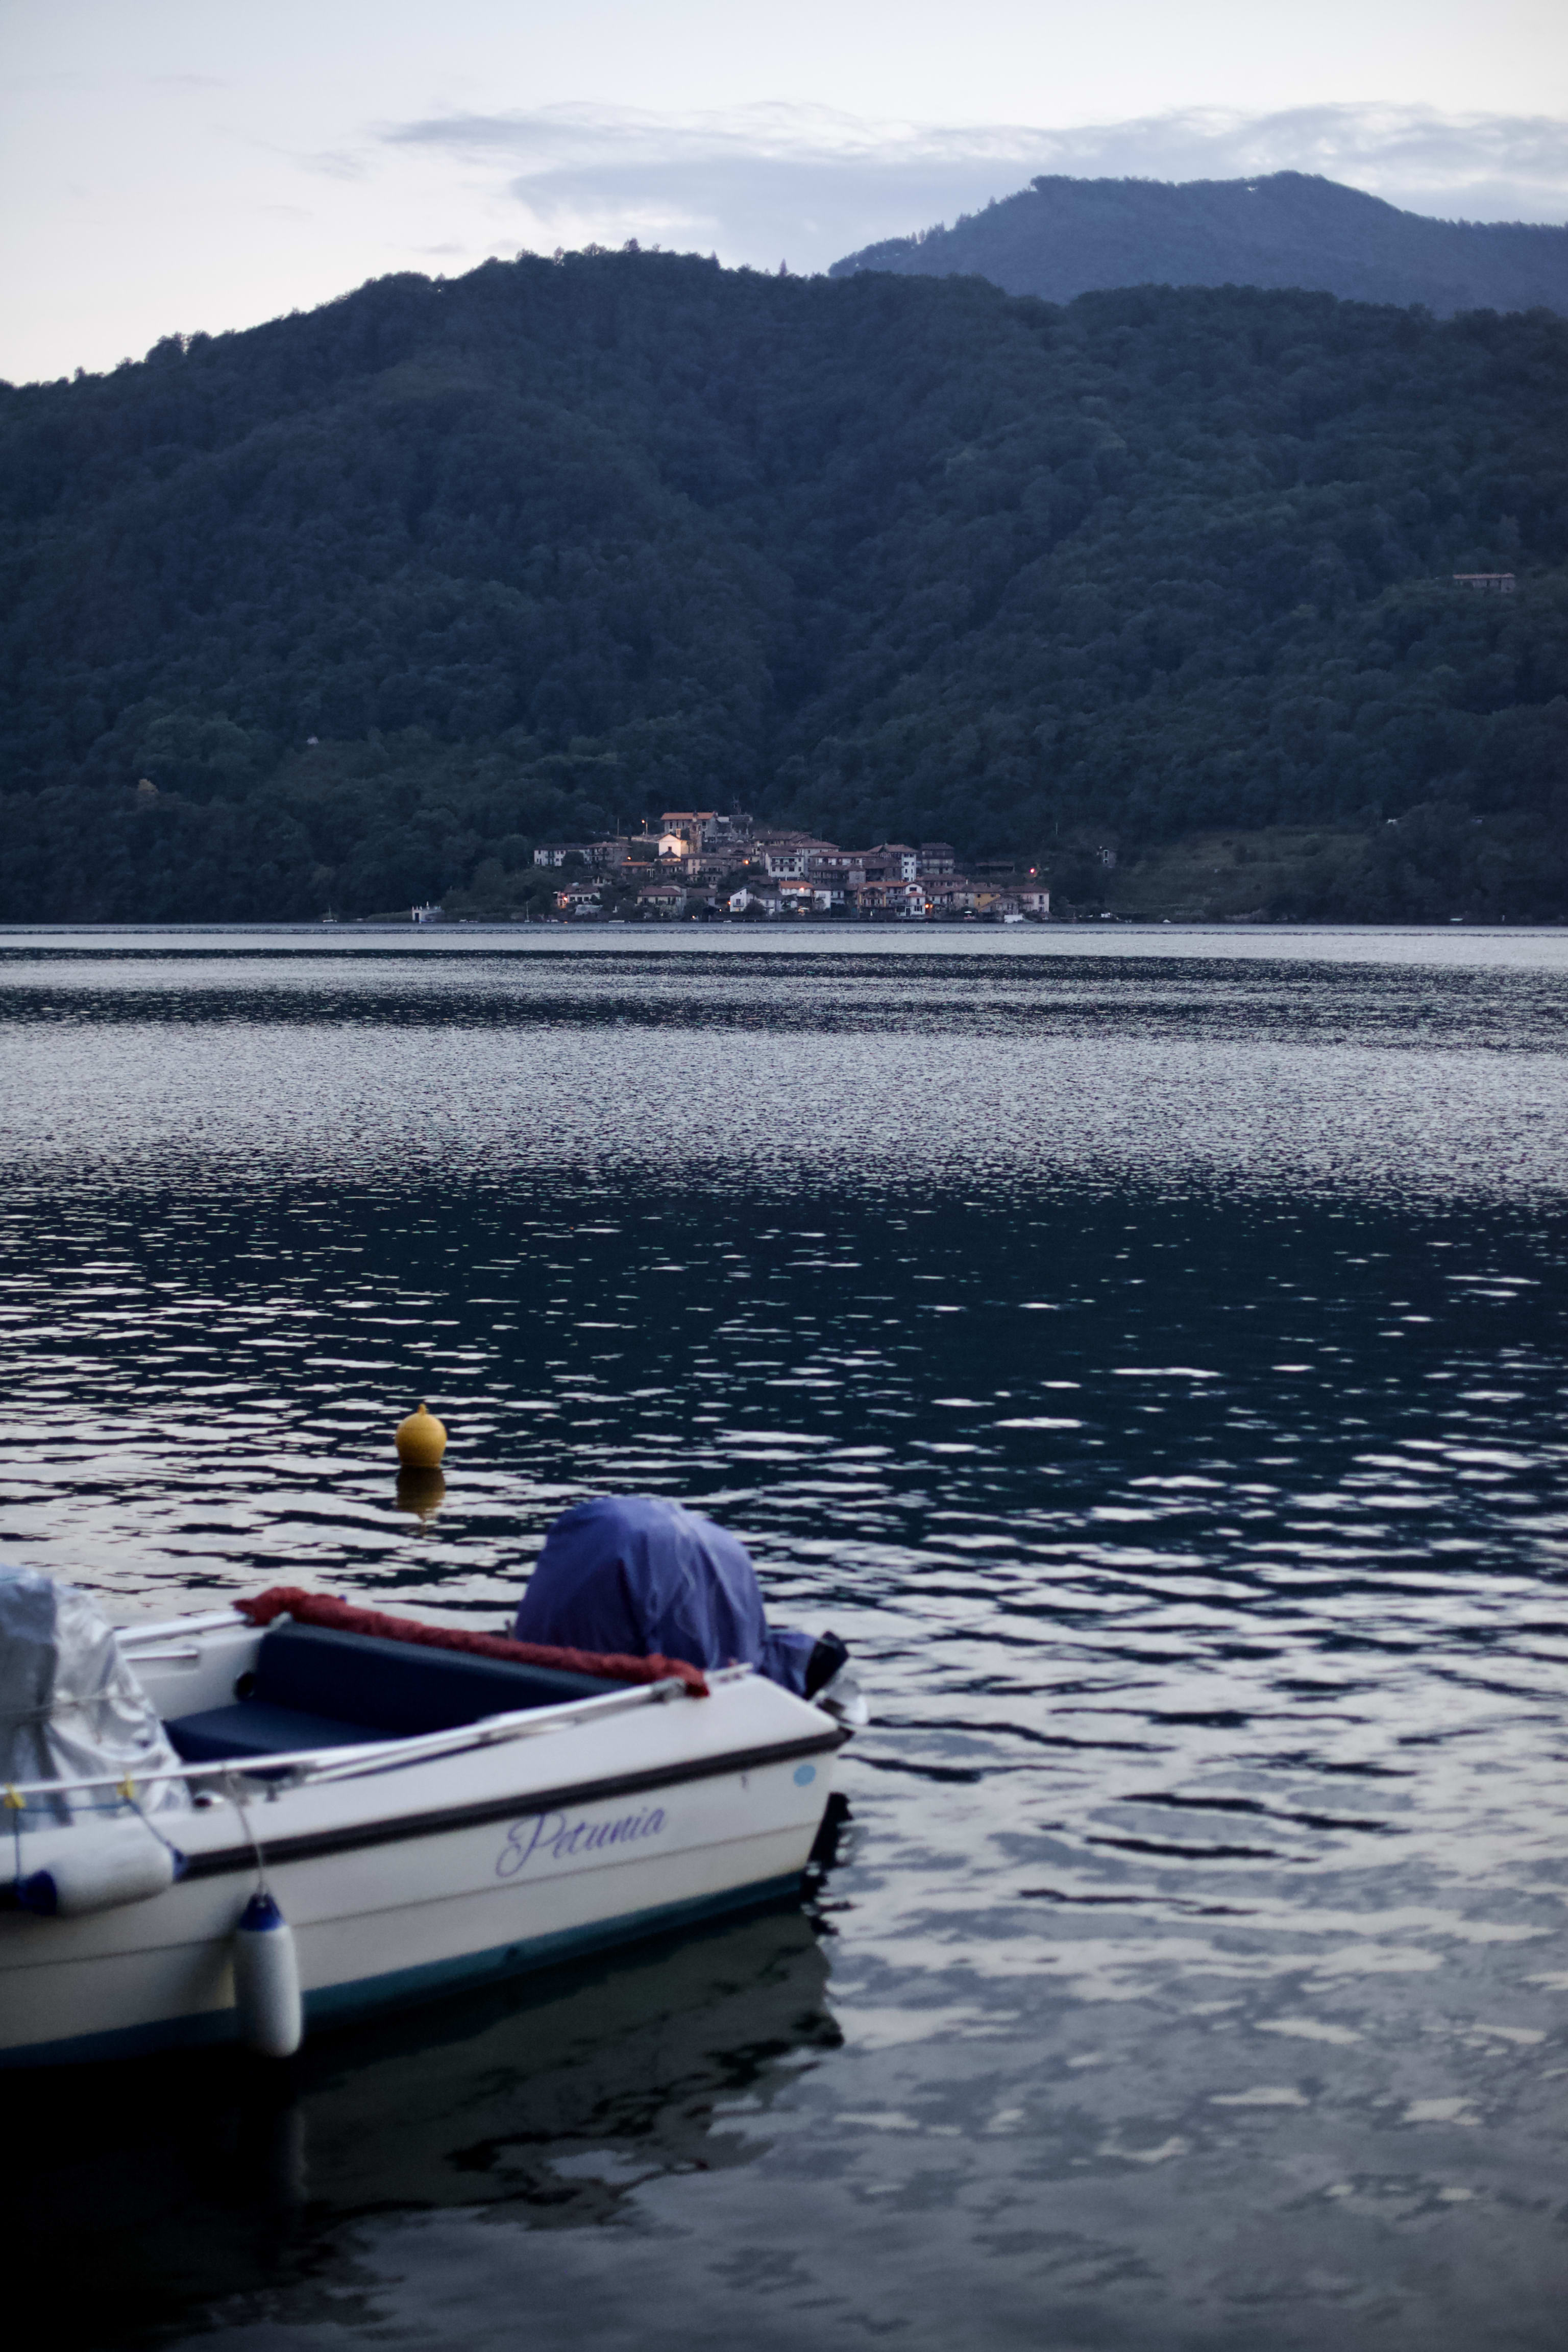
[{"x": 709, "y": 867}]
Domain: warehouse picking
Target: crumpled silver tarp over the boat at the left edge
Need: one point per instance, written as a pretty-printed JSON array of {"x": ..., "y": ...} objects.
[{"x": 72, "y": 1706}]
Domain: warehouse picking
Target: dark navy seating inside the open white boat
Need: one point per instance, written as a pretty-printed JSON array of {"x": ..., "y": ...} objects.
[{"x": 316, "y": 1688}]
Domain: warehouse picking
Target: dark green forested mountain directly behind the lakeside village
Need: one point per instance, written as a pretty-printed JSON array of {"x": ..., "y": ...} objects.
[{"x": 377, "y": 596}]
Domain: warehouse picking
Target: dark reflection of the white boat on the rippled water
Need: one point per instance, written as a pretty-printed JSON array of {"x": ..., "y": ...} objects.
[{"x": 161, "y": 2186}]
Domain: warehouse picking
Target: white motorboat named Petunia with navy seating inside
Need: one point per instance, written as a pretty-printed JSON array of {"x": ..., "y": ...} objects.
[{"x": 422, "y": 1819}]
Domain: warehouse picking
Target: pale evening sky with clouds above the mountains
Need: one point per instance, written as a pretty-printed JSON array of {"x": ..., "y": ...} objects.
[{"x": 175, "y": 166}]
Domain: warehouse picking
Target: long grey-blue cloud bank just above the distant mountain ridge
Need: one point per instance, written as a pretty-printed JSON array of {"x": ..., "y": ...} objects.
[{"x": 810, "y": 185}]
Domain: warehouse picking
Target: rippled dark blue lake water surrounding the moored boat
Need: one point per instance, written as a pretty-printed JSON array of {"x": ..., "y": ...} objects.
[{"x": 1146, "y": 1349}]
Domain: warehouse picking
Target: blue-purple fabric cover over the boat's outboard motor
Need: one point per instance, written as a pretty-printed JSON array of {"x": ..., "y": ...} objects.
[{"x": 636, "y": 1575}]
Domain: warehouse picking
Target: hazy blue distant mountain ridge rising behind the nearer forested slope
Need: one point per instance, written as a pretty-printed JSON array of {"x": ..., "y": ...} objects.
[{"x": 1080, "y": 236}]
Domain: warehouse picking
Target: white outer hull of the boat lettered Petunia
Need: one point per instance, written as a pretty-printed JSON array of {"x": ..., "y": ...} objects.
[{"x": 413, "y": 1883}]
